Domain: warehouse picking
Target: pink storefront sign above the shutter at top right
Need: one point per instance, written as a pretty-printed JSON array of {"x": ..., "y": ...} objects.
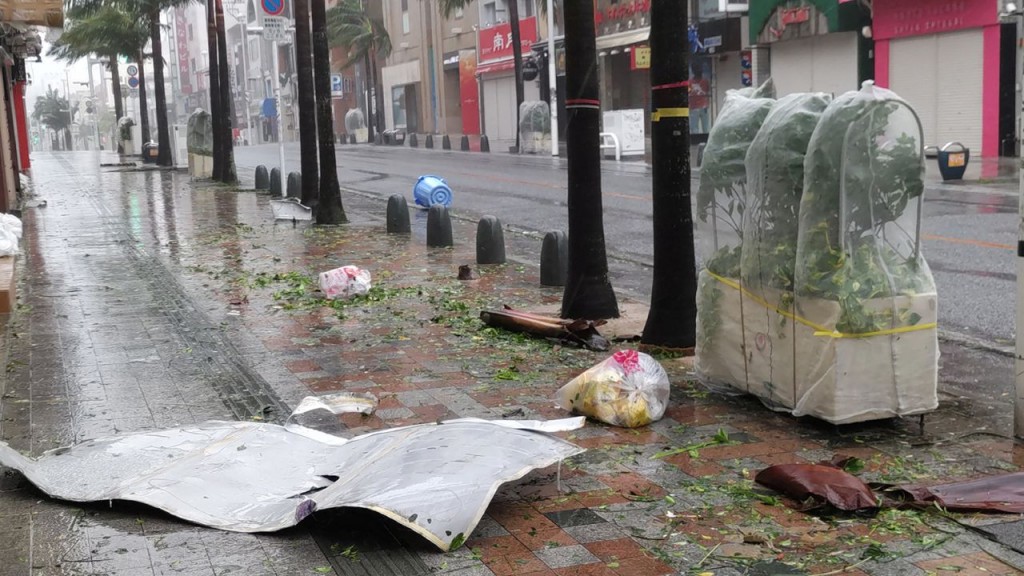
[{"x": 900, "y": 19}]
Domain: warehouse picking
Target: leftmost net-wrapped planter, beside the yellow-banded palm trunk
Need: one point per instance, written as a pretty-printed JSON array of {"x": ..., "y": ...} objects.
[{"x": 721, "y": 204}]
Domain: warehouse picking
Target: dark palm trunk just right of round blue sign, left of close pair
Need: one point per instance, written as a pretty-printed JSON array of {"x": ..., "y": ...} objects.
[{"x": 308, "y": 104}]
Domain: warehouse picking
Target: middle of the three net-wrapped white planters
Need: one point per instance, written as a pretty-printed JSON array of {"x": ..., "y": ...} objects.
[{"x": 775, "y": 187}]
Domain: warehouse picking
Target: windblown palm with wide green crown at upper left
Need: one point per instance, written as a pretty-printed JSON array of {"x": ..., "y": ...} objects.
[{"x": 107, "y": 31}]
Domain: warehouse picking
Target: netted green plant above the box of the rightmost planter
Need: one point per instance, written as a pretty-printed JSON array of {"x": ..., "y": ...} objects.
[{"x": 859, "y": 240}]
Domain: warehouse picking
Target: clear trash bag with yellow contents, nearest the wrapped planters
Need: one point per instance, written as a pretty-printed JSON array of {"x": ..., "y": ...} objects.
[{"x": 629, "y": 389}]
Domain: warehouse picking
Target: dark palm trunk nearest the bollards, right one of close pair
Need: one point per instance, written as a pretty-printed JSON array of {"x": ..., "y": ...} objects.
[{"x": 330, "y": 210}]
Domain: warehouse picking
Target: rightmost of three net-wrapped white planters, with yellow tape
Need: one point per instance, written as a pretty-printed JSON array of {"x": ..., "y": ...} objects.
[{"x": 867, "y": 346}]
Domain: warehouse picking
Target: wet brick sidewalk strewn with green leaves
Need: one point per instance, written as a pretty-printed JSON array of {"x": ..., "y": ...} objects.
[{"x": 148, "y": 302}]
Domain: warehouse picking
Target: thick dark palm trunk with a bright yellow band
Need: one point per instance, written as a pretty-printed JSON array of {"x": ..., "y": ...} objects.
[{"x": 672, "y": 320}]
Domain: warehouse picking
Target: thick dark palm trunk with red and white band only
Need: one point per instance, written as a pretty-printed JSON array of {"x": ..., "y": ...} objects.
[{"x": 588, "y": 291}]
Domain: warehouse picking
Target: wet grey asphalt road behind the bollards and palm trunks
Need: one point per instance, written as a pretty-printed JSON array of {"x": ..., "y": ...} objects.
[{"x": 970, "y": 232}]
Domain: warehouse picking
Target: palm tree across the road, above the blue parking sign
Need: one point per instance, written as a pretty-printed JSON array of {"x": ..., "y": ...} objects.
[{"x": 350, "y": 27}]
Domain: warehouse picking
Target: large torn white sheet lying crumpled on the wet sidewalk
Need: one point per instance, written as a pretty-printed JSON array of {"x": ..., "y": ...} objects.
[{"x": 435, "y": 479}]
